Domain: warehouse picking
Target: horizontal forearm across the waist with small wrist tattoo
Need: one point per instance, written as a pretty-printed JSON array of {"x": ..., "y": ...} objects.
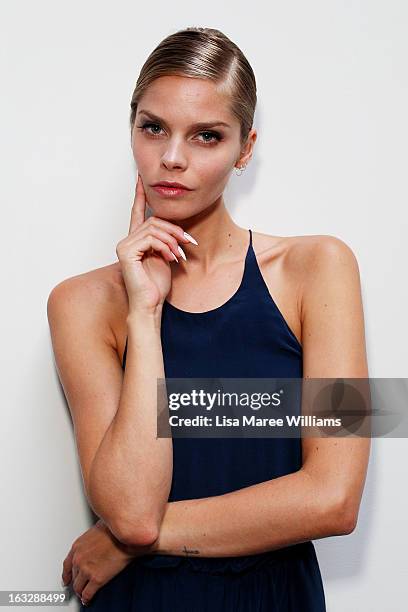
[{"x": 266, "y": 516}]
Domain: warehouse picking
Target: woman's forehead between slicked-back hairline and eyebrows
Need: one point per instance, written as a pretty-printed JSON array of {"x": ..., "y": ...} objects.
[{"x": 186, "y": 98}]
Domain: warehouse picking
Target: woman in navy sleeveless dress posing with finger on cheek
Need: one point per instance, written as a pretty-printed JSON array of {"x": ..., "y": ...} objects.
[{"x": 194, "y": 523}]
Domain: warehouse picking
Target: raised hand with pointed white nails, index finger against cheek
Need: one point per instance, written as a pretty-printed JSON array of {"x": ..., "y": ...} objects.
[{"x": 145, "y": 255}]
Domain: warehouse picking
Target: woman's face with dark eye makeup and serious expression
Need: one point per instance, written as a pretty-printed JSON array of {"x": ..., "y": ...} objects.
[{"x": 168, "y": 145}]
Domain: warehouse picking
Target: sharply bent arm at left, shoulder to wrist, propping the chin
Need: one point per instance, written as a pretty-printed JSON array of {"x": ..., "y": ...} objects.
[{"x": 126, "y": 470}]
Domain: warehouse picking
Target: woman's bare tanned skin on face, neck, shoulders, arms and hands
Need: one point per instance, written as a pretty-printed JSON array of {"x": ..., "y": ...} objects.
[{"x": 315, "y": 283}]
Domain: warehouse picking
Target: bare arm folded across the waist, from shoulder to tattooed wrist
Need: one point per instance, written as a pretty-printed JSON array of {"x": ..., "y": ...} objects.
[{"x": 323, "y": 497}]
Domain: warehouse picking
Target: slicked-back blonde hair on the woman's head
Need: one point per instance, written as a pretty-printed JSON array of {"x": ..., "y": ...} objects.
[{"x": 203, "y": 53}]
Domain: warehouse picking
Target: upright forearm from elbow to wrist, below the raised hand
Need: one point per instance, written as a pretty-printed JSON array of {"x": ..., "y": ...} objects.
[{"x": 131, "y": 473}]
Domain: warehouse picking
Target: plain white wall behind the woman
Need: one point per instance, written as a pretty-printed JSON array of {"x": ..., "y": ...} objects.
[{"x": 331, "y": 158}]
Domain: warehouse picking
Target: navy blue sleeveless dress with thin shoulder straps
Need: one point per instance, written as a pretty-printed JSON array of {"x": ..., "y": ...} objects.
[{"x": 245, "y": 337}]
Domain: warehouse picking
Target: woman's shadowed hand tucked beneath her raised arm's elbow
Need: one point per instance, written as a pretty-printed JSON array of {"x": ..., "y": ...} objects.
[{"x": 94, "y": 559}]
